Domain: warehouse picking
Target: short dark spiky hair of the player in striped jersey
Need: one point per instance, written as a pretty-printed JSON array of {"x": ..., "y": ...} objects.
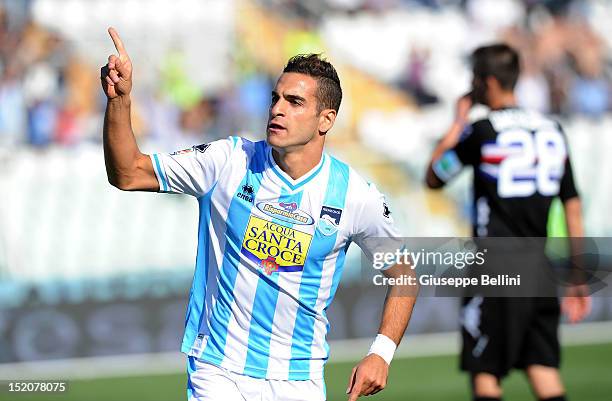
[{"x": 329, "y": 92}]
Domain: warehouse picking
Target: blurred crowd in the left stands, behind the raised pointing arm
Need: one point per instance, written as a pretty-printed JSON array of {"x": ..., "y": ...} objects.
[{"x": 50, "y": 95}]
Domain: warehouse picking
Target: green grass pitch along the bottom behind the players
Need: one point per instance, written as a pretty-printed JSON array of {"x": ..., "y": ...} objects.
[{"x": 587, "y": 371}]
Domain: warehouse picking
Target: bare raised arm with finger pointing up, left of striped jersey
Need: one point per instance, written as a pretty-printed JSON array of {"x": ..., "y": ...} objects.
[{"x": 126, "y": 167}]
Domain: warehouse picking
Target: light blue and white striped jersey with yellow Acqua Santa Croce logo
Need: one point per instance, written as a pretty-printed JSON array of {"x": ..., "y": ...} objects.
[{"x": 270, "y": 253}]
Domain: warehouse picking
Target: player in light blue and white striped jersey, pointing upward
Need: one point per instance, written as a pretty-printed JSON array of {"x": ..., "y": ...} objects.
[{"x": 276, "y": 219}]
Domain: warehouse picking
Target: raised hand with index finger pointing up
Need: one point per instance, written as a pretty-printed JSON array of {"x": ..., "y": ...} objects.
[{"x": 116, "y": 75}]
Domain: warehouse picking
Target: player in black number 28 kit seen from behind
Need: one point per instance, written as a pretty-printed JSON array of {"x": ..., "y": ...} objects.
[{"x": 520, "y": 160}]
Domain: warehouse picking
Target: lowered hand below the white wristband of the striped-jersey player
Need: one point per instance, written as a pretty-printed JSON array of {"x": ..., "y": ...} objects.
[{"x": 368, "y": 377}]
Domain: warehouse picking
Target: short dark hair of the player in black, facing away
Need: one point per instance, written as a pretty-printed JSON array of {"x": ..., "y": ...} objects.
[{"x": 499, "y": 61}]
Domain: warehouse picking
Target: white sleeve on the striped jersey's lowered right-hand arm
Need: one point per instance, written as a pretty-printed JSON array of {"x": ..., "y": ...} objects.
[{"x": 375, "y": 230}]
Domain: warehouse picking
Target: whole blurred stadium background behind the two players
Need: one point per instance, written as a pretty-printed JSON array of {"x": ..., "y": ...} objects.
[{"x": 93, "y": 281}]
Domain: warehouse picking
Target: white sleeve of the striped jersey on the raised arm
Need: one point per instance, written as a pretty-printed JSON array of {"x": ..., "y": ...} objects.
[{"x": 192, "y": 171}]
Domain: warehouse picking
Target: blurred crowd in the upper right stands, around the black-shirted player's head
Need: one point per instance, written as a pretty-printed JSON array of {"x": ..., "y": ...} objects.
[{"x": 566, "y": 71}]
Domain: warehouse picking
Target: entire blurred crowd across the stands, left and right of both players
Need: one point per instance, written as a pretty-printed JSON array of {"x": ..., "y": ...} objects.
[{"x": 49, "y": 95}]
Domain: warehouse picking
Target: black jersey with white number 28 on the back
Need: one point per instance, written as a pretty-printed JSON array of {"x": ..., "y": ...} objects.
[{"x": 521, "y": 164}]
